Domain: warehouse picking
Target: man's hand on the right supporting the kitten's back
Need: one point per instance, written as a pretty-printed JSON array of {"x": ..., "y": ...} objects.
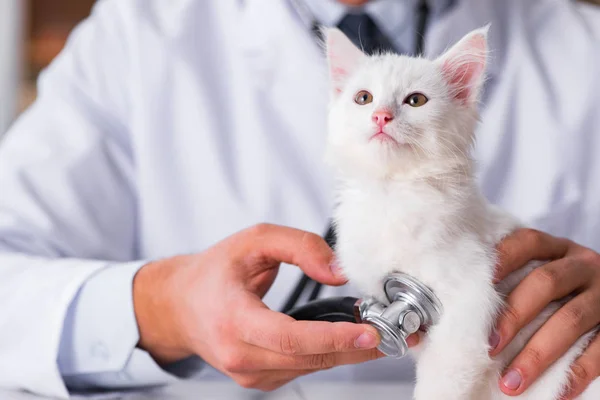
[{"x": 573, "y": 269}]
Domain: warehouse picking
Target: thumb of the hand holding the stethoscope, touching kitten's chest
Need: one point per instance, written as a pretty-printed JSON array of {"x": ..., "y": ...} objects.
[{"x": 293, "y": 246}]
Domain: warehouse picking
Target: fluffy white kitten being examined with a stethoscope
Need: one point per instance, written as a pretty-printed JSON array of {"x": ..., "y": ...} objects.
[{"x": 401, "y": 131}]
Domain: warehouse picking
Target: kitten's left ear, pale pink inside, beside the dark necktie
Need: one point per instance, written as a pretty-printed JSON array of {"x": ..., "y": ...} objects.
[{"x": 342, "y": 57}]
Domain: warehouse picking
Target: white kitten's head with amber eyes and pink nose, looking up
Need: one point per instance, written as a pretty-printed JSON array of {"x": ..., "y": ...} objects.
[{"x": 393, "y": 114}]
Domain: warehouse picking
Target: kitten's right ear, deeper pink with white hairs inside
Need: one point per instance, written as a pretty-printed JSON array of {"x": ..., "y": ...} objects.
[{"x": 463, "y": 65}]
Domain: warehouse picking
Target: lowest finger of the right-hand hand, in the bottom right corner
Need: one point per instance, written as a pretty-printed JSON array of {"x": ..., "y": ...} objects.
[{"x": 584, "y": 370}]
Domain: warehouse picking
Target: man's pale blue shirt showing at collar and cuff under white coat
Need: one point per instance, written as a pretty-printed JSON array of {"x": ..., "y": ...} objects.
[{"x": 100, "y": 331}]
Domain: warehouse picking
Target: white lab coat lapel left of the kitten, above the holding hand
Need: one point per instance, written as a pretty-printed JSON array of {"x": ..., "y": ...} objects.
[{"x": 285, "y": 70}]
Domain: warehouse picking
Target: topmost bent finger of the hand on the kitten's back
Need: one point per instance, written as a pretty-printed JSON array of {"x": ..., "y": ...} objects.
[{"x": 525, "y": 245}]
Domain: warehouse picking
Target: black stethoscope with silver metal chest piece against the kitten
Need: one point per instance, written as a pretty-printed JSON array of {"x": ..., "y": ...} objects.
[{"x": 411, "y": 306}]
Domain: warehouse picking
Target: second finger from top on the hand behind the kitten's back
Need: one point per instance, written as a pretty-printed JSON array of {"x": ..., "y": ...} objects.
[{"x": 550, "y": 282}]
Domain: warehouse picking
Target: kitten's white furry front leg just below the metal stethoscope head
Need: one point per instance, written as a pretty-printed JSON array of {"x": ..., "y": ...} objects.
[{"x": 454, "y": 363}]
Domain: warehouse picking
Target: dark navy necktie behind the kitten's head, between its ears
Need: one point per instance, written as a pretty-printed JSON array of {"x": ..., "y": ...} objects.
[{"x": 365, "y": 34}]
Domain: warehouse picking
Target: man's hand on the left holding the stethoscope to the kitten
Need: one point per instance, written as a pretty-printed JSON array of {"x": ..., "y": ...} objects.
[{"x": 210, "y": 305}]
